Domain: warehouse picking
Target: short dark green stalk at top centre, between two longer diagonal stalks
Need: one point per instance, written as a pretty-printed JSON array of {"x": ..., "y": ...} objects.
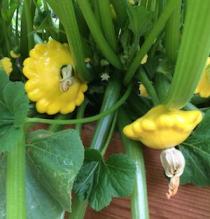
[{"x": 107, "y": 24}]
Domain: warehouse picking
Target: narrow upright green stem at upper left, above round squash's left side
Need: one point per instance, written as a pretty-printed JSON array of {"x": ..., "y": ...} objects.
[{"x": 29, "y": 23}]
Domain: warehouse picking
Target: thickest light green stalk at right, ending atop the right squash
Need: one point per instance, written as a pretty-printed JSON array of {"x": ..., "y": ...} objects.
[{"x": 193, "y": 53}]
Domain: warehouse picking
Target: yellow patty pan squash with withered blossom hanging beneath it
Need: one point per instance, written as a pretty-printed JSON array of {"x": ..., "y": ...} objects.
[{"x": 162, "y": 127}]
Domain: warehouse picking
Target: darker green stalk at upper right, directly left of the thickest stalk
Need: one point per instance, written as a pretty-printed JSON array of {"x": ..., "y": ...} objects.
[{"x": 172, "y": 36}]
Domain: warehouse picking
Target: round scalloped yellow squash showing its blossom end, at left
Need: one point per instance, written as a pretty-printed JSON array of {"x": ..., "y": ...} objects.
[{"x": 51, "y": 82}]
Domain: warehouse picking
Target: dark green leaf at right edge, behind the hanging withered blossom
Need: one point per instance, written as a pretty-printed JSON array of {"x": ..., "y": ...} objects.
[{"x": 196, "y": 150}]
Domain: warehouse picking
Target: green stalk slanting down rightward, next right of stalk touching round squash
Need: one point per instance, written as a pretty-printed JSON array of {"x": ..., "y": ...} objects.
[{"x": 97, "y": 34}]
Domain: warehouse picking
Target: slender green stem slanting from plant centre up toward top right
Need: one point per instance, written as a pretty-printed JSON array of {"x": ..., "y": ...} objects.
[{"x": 149, "y": 41}]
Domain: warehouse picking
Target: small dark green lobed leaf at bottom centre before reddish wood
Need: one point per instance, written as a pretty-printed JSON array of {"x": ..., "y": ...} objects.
[{"x": 100, "y": 181}]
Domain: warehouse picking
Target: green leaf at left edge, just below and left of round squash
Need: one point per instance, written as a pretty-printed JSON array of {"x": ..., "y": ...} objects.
[{"x": 13, "y": 111}]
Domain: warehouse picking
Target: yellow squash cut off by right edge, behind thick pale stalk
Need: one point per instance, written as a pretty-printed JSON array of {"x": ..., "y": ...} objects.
[{"x": 203, "y": 88}]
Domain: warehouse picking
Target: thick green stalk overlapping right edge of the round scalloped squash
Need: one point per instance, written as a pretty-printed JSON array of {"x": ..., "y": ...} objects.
[{"x": 66, "y": 13}]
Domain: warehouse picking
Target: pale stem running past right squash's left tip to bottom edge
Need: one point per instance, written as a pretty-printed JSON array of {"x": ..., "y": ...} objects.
[{"x": 139, "y": 202}]
